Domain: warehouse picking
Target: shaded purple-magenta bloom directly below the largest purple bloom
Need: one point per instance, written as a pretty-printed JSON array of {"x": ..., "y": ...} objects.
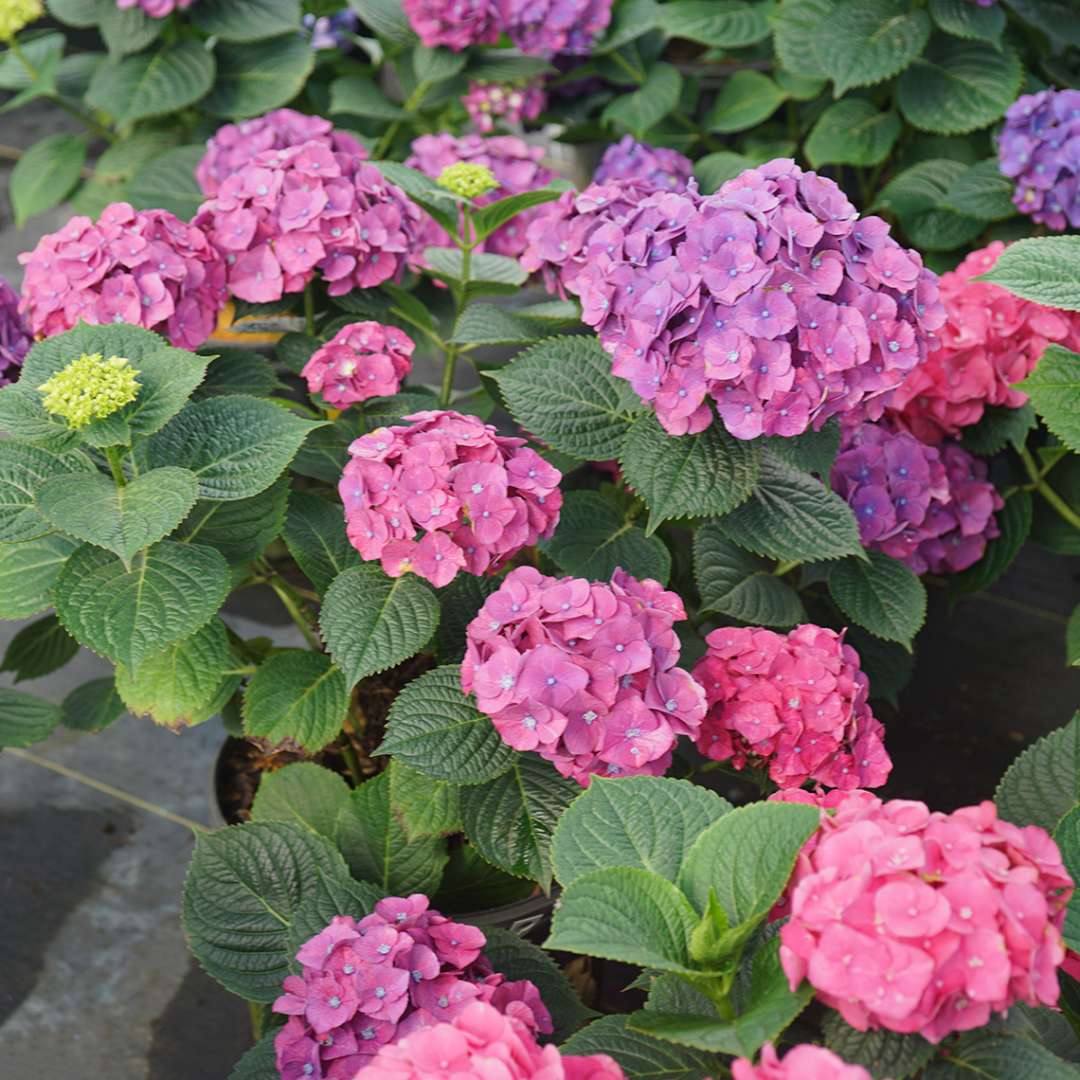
[{"x": 930, "y": 507}]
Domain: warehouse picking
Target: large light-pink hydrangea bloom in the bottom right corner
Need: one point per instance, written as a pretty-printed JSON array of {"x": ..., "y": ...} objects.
[{"x": 920, "y": 922}]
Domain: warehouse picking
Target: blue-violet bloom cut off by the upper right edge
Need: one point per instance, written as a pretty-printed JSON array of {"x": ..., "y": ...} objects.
[{"x": 1039, "y": 148}]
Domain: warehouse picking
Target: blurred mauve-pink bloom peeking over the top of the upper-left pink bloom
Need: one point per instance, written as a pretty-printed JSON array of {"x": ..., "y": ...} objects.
[{"x": 234, "y": 146}]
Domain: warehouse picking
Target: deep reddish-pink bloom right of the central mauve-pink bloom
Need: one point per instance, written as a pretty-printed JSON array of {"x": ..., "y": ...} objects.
[{"x": 795, "y": 703}]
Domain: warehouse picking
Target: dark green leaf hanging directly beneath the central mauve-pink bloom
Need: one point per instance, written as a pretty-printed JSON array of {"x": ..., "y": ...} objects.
[{"x": 511, "y": 819}]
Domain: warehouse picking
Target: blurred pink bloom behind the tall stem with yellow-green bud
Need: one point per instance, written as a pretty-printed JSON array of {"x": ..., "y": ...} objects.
[{"x": 516, "y": 165}]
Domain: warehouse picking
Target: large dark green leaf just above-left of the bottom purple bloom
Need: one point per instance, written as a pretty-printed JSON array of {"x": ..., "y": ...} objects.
[{"x": 245, "y": 885}]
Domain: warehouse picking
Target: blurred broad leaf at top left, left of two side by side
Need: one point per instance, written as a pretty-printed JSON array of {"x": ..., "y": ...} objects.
[{"x": 153, "y": 84}]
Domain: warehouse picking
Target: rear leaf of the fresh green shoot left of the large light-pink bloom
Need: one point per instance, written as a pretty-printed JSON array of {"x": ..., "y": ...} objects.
[{"x": 649, "y": 822}]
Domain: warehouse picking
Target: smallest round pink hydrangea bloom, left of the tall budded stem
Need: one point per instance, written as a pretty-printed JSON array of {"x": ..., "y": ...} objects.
[{"x": 361, "y": 361}]
